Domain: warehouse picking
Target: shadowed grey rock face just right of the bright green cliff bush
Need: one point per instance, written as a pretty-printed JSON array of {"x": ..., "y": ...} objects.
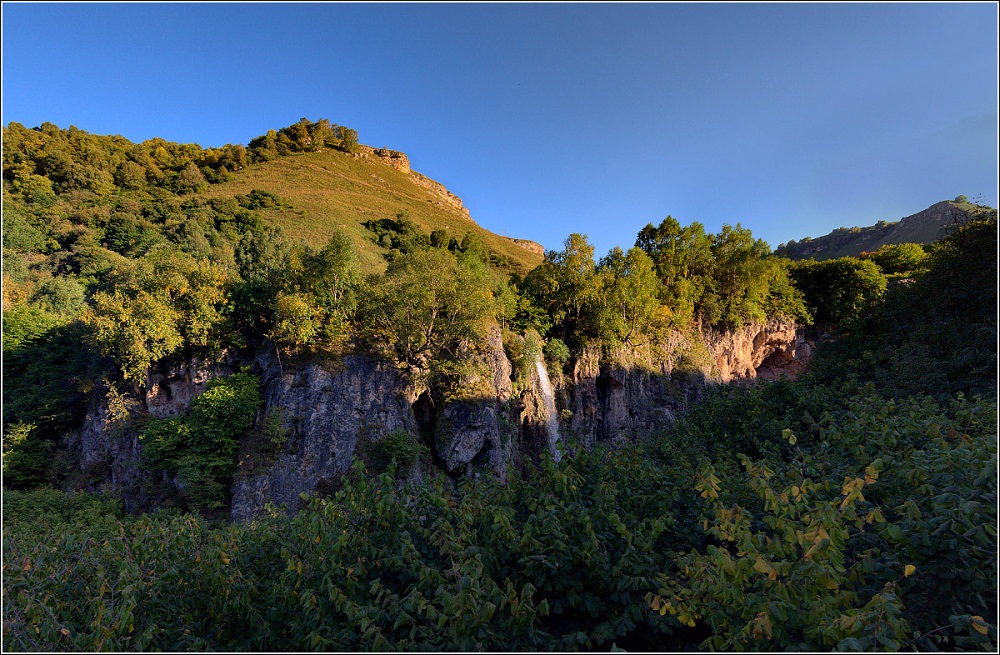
[{"x": 325, "y": 413}]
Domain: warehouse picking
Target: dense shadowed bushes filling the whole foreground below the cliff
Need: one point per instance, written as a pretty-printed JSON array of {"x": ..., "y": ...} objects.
[{"x": 875, "y": 528}]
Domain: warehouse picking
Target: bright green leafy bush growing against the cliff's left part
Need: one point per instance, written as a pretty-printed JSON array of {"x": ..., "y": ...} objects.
[{"x": 199, "y": 449}]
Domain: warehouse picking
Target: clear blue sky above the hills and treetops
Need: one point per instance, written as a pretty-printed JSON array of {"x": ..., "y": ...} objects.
[{"x": 549, "y": 119}]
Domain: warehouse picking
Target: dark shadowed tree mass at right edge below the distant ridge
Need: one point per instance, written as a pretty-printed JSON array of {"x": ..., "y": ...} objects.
[{"x": 936, "y": 336}]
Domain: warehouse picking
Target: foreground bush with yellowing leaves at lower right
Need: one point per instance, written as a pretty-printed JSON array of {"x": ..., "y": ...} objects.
[{"x": 782, "y": 578}]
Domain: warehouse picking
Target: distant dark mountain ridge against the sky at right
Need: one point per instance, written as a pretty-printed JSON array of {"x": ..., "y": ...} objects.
[{"x": 924, "y": 227}]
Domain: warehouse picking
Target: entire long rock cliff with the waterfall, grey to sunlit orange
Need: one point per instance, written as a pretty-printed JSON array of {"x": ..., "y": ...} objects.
[{"x": 496, "y": 418}]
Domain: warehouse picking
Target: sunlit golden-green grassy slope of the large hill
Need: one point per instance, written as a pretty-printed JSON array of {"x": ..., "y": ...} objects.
[{"x": 331, "y": 190}]
